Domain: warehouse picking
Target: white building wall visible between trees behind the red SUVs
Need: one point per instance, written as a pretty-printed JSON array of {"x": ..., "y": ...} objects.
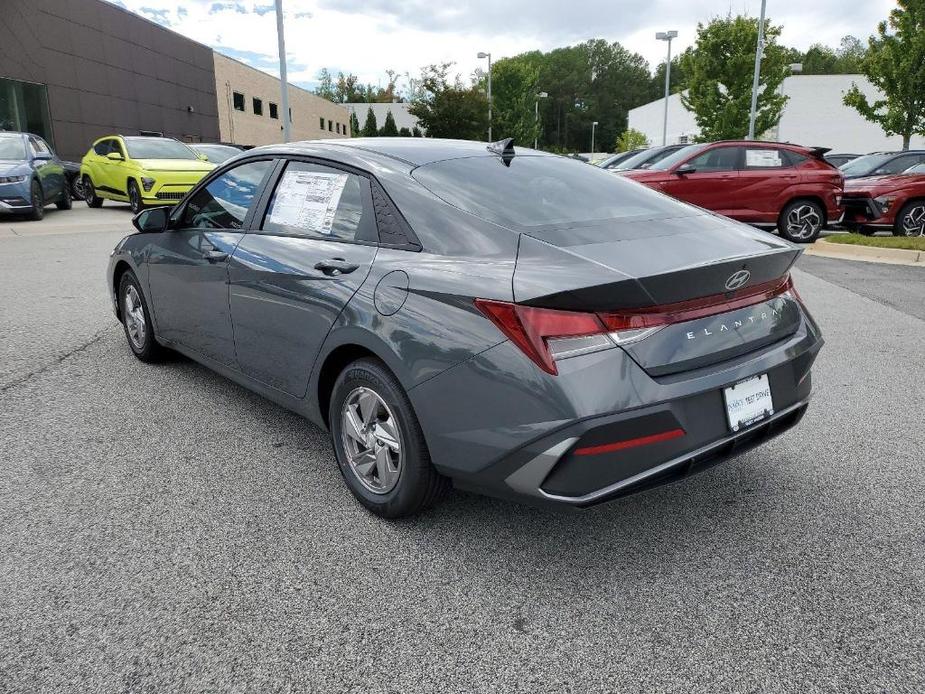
[{"x": 814, "y": 116}]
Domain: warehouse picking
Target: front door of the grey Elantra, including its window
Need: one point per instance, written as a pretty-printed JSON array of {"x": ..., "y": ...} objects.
[{"x": 188, "y": 263}]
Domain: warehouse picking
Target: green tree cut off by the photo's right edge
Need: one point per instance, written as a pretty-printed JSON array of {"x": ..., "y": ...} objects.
[{"x": 895, "y": 64}]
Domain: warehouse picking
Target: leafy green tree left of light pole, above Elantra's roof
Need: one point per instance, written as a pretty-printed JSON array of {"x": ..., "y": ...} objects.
[{"x": 449, "y": 109}]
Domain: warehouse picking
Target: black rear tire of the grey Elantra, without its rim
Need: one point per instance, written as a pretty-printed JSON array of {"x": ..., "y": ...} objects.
[{"x": 419, "y": 485}]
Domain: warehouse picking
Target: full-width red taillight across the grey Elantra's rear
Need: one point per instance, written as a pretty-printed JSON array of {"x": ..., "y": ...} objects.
[{"x": 545, "y": 334}]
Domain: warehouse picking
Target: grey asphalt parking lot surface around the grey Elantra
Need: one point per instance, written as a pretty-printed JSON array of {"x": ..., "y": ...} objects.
[{"x": 166, "y": 531}]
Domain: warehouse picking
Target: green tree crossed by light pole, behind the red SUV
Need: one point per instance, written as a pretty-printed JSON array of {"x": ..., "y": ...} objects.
[{"x": 720, "y": 70}]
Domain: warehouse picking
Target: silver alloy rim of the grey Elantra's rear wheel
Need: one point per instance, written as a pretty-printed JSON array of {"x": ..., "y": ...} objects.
[{"x": 372, "y": 441}]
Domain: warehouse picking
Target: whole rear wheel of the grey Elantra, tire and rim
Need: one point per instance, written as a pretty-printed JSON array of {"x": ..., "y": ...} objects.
[{"x": 379, "y": 444}]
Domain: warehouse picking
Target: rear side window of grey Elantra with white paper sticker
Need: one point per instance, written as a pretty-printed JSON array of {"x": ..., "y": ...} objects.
[{"x": 316, "y": 200}]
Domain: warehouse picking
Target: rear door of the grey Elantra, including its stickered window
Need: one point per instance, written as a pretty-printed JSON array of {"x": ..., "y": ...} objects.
[{"x": 291, "y": 278}]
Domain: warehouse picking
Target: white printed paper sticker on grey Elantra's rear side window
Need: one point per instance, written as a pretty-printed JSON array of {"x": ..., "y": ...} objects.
[{"x": 308, "y": 200}]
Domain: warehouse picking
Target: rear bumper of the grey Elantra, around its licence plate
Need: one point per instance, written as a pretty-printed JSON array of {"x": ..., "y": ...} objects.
[{"x": 528, "y": 436}]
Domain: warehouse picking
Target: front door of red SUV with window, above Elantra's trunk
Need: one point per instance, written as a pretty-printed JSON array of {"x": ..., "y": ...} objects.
[{"x": 713, "y": 181}]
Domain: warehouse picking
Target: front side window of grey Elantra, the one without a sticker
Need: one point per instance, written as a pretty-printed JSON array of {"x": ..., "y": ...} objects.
[{"x": 224, "y": 202}]
